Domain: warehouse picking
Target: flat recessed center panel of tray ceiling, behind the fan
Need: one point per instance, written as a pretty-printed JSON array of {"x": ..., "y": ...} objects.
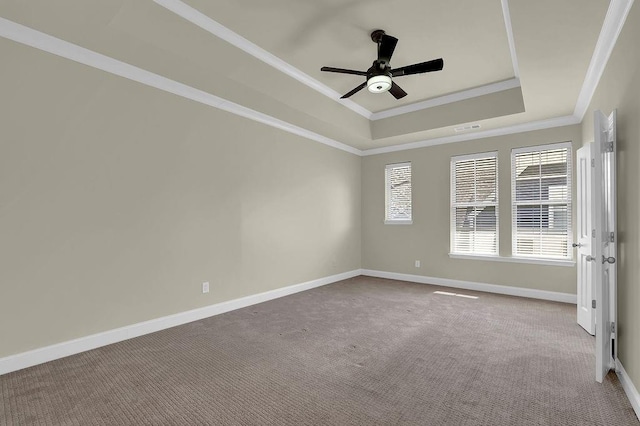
[{"x": 470, "y": 35}]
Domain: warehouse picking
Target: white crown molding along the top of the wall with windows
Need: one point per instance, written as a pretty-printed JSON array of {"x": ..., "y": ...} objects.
[{"x": 509, "y": 130}]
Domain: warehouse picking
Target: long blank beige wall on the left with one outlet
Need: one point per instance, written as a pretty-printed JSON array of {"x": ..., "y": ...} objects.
[{"x": 117, "y": 201}]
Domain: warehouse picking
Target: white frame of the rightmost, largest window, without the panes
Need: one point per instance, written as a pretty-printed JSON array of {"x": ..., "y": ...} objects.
[{"x": 570, "y": 201}]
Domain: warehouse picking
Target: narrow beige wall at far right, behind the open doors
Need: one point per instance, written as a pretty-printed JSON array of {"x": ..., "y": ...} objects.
[{"x": 619, "y": 89}]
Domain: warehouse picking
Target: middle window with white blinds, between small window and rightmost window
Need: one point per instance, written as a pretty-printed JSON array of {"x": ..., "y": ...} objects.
[{"x": 474, "y": 204}]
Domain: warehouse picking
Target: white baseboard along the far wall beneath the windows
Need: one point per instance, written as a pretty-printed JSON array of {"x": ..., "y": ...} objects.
[{"x": 469, "y": 285}]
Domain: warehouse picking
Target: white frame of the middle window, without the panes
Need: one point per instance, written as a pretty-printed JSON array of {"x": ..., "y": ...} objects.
[{"x": 453, "y": 205}]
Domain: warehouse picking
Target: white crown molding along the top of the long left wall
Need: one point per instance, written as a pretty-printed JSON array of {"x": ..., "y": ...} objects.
[{"x": 45, "y": 42}]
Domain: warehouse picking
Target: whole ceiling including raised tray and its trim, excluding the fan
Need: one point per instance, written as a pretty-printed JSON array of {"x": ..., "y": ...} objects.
[{"x": 506, "y": 63}]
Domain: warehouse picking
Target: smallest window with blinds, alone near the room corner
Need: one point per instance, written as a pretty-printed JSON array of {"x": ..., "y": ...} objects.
[{"x": 398, "y": 193}]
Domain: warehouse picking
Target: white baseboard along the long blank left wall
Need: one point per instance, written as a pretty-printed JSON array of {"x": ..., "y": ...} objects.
[{"x": 82, "y": 344}]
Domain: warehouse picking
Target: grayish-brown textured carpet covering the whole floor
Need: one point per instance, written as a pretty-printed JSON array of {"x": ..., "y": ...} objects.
[{"x": 364, "y": 351}]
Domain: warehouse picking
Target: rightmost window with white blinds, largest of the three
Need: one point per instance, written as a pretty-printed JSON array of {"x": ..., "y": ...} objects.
[{"x": 541, "y": 201}]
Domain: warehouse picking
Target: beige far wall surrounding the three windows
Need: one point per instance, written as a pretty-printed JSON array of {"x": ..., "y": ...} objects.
[{"x": 394, "y": 248}]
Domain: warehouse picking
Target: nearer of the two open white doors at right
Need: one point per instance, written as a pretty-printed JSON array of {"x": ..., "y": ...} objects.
[{"x": 604, "y": 241}]
